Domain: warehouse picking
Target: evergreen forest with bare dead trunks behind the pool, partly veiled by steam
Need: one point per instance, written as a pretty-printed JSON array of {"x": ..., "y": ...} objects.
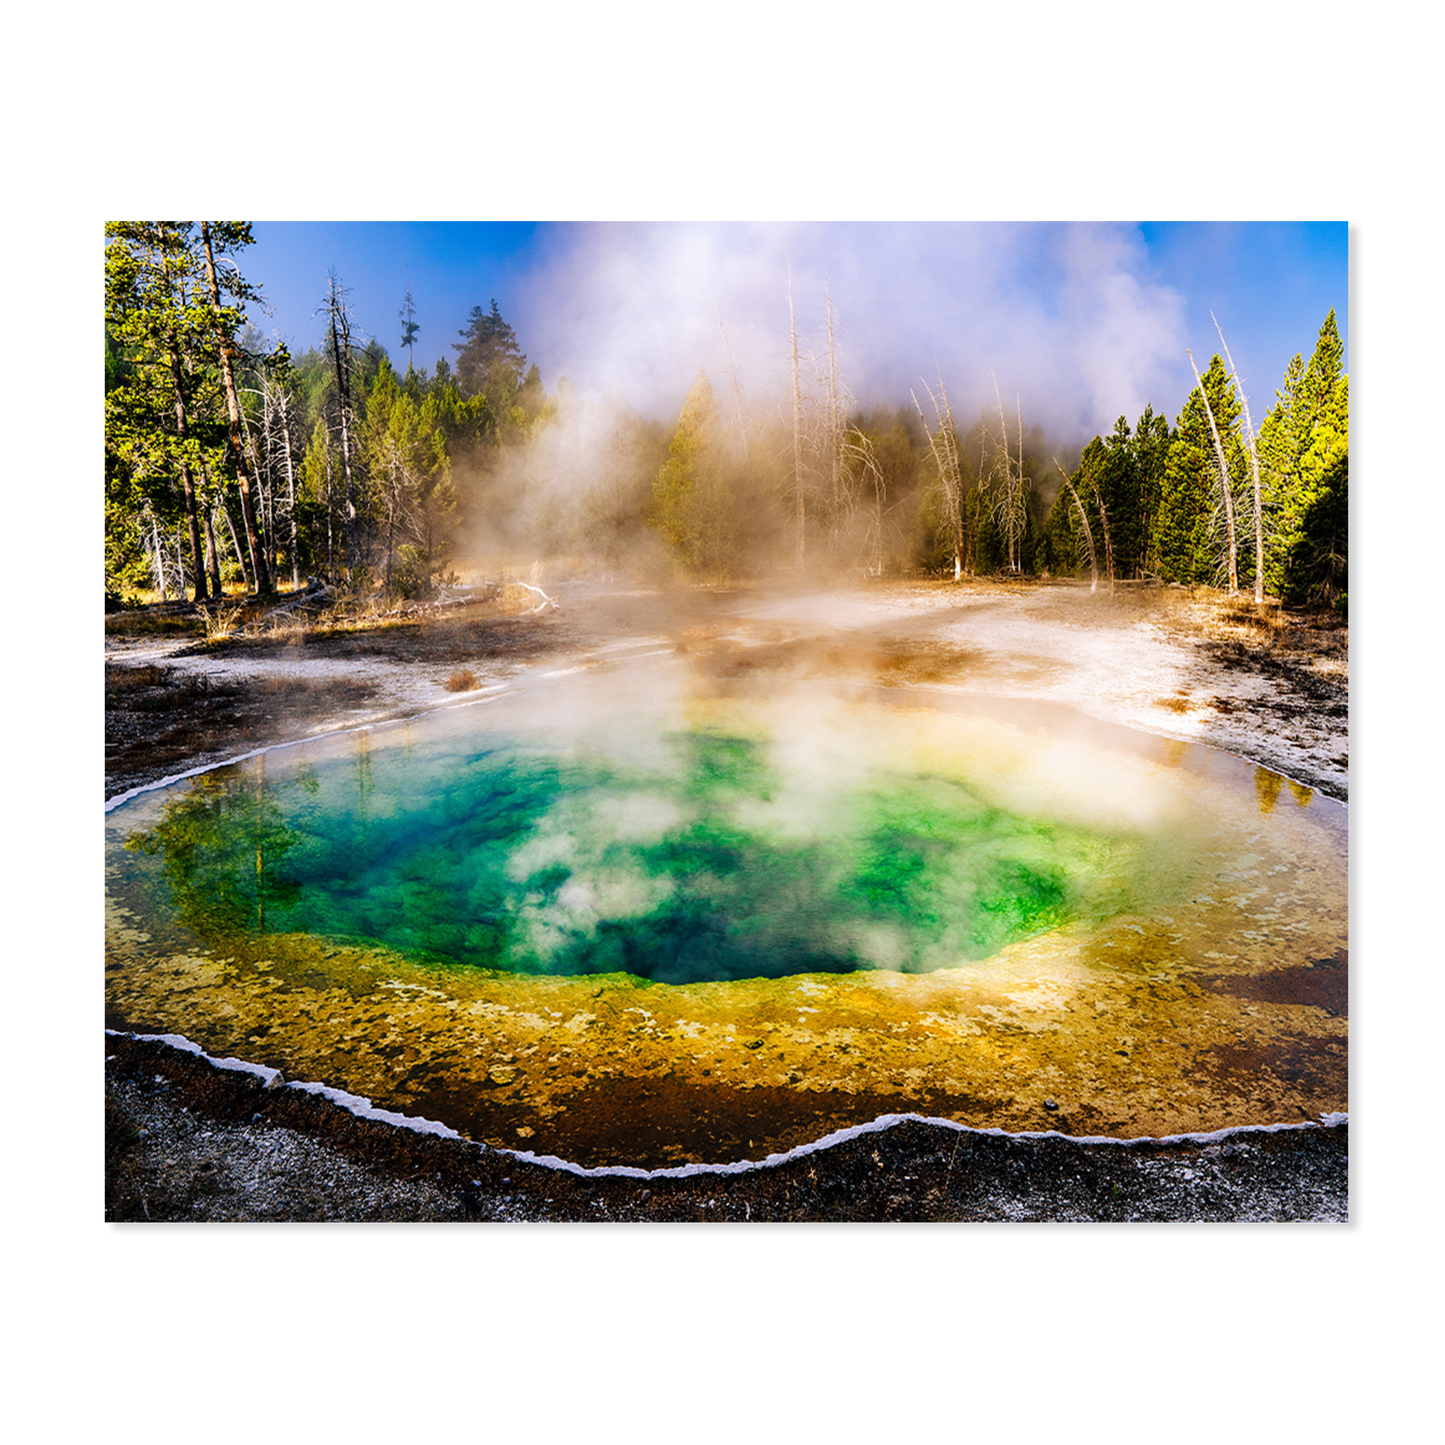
[{"x": 232, "y": 466}]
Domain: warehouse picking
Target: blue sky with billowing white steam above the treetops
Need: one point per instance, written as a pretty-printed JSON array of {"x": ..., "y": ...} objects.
[{"x": 1082, "y": 320}]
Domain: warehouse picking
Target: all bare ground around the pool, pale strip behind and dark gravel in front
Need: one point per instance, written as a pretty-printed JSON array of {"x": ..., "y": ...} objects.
[{"x": 187, "y": 1141}]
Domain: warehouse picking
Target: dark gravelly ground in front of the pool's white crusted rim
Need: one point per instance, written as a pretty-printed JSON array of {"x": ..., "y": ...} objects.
[{"x": 187, "y": 1142}]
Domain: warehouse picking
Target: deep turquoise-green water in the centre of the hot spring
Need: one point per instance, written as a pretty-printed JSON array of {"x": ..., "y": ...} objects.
[{"x": 702, "y": 856}]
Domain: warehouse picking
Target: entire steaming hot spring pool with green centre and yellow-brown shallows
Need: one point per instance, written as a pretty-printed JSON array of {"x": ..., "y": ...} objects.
[{"x": 624, "y": 920}]
